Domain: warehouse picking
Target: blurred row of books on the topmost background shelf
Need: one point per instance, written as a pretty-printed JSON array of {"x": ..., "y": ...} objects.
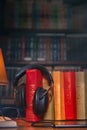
[{"x": 48, "y": 15}]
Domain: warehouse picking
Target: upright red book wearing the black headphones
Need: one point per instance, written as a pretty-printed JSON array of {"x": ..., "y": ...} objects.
[{"x": 33, "y": 81}]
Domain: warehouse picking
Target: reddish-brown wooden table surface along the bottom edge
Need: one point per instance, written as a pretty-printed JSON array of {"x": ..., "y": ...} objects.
[{"x": 23, "y": 125}]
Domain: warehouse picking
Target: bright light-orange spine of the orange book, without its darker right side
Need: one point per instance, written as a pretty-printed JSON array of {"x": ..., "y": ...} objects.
[{"x": 57, "y": 95}]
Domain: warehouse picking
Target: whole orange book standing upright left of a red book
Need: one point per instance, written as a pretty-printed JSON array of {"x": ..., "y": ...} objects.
[{"x": 59, "y": 113}]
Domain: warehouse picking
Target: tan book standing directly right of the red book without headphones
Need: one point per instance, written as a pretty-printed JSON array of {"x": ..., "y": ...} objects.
[{"x": 80, "y": 94}]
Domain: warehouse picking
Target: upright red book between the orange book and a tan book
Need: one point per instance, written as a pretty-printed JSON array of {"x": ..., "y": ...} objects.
[{"x": 70, "y": 95}]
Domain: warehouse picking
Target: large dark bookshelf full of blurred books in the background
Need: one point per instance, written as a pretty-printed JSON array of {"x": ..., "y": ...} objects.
[{"x": 52, "y": 33}]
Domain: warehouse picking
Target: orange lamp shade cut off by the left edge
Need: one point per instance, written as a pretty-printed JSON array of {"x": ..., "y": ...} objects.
[{"x": 3, "y": 75}]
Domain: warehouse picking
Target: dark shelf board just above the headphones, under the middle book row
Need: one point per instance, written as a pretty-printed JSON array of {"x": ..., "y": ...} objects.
[{"x": 45, "y": 63}]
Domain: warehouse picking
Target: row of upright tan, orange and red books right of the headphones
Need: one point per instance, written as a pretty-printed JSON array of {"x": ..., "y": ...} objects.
[{"x": 69, "y": 99}]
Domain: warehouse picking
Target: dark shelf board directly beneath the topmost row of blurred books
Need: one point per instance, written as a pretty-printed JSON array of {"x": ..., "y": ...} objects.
[{"x": 58, "y": 32}]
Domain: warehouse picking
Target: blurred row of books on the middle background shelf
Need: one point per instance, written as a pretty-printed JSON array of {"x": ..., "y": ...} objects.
[{"x": 44, "y": 49}]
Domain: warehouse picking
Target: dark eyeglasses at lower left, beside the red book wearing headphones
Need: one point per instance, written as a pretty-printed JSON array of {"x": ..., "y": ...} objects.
[{"x": 11, "y": 112}]
